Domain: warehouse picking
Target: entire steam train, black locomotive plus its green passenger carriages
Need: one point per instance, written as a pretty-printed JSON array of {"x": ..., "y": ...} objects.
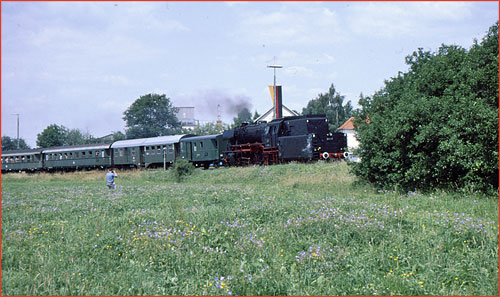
[{"x": 299, "y": 138}]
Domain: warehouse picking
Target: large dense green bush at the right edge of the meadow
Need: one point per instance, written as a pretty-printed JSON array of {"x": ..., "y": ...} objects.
[{"x": 435, "y": 126}]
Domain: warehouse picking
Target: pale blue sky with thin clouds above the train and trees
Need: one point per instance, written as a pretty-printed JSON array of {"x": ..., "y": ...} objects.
[{"x": 82, "y": 64}]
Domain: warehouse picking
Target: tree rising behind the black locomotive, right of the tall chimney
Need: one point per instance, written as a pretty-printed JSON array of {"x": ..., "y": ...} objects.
[{"x": 331, "y": 105}]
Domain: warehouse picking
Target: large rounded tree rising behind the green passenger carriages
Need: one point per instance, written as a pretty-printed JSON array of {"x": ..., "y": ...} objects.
[{"x": 151, "y": 115}]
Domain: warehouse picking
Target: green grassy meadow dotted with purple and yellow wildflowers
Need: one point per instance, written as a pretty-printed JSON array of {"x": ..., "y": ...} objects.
[{"x": 295, "y": 229}]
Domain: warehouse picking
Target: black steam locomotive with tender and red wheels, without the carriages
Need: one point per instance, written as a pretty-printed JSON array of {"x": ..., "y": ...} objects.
[{"x": 299, "y": 138}]
